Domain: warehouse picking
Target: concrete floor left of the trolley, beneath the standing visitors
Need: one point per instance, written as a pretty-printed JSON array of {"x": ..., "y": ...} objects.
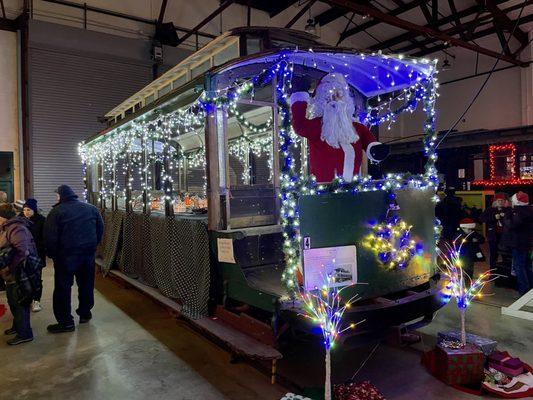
[{"x": 113, "y": 357}]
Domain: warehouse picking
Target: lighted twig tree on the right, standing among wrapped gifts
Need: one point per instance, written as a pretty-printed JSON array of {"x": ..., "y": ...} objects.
[{"x": 459, "y": 284}]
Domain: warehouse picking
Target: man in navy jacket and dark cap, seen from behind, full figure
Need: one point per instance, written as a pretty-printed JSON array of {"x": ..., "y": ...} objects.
[{"x": 73, "y": 229}]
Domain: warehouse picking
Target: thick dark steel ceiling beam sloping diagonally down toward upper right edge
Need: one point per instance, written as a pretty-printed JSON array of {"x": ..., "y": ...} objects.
[{"x": 363, "y": 9}]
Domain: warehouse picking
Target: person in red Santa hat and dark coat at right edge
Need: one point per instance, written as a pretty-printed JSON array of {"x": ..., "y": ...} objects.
[{"x": 518, "y": 235}]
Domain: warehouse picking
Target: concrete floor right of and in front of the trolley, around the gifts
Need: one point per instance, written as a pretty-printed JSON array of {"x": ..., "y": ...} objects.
[{"x": 397, "y": 372}]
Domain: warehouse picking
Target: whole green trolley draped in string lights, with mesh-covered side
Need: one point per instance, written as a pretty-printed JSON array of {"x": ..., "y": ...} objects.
[{"x": 207, "y": 191}]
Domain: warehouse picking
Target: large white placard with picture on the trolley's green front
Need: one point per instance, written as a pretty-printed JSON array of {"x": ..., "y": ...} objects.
[{"x": 338, "y": 262}]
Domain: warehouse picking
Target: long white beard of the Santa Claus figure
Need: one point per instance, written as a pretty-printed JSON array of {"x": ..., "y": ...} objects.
[{"x": 337, "y": 125}]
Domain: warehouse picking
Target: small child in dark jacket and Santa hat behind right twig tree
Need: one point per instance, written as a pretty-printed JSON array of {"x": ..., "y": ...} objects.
[{"x": 470, "y": 242}]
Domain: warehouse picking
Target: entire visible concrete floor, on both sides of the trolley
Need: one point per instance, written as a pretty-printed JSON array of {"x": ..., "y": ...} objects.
[{"x": 133, "y": 349}]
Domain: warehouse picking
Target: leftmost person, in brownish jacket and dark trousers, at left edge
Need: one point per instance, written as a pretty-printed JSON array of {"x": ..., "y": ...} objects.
[{"x": 14, "y": 232}]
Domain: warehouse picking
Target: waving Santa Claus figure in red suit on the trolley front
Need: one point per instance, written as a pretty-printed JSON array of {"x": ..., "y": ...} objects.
[{"x": 336, "y": 142}]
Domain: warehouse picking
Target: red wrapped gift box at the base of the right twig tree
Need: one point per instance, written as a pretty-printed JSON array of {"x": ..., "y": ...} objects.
[{"x": 463, "y": 366}]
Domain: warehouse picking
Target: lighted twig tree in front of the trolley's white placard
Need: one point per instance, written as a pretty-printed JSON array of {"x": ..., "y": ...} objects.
[{"x": 325, "y": 307}]
